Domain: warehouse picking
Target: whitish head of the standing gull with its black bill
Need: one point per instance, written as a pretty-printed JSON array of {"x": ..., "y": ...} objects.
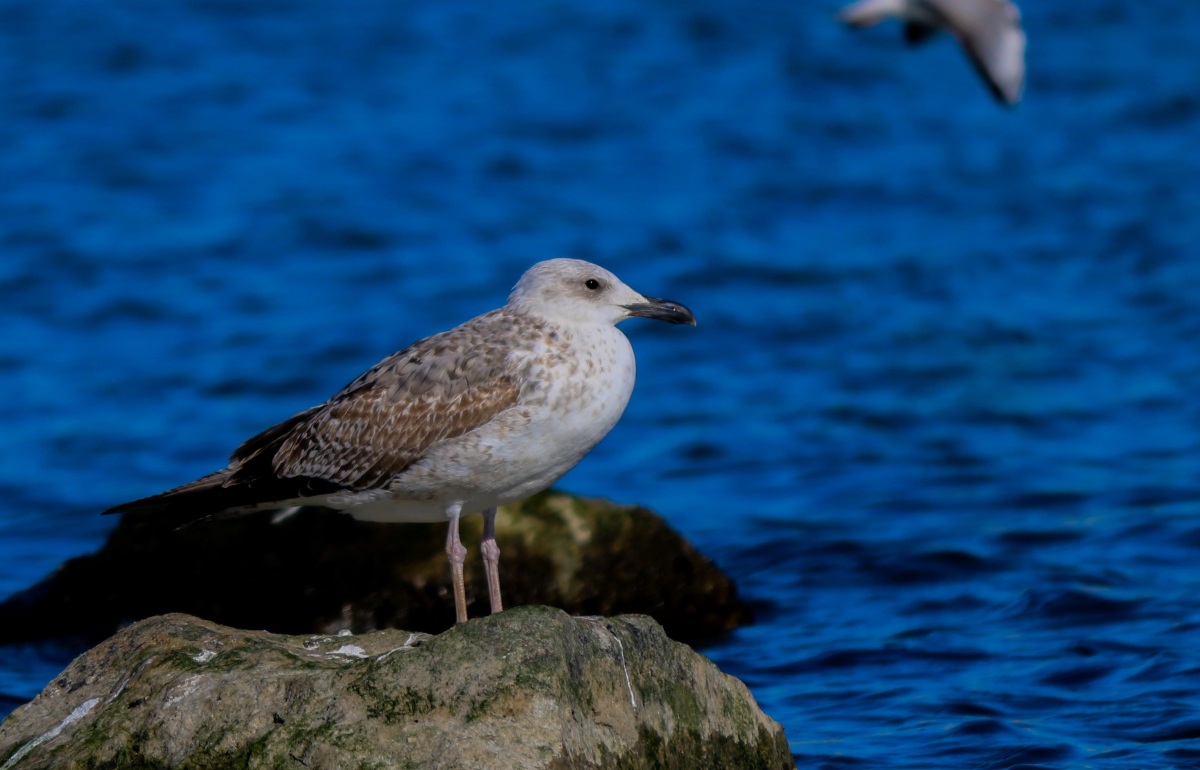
[{"x": 578, "y": 292}]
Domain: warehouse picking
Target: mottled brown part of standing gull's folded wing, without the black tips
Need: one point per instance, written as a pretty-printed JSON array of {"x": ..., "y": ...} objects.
[{"x": 441, "y": 388}]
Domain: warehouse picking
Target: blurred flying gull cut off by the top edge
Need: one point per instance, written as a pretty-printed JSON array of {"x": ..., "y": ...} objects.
[{"x": 989, "y": 32}]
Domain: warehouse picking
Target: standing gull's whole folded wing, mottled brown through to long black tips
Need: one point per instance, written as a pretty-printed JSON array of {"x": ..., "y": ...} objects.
[{"x": 370, "y": 432}]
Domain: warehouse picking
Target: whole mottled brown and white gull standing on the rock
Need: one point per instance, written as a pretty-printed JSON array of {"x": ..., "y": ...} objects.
[{"x": 485, "y": 414}]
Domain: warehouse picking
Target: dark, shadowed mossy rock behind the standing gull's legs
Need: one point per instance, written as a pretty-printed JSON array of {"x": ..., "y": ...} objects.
[{"x": 319, "y": 572}]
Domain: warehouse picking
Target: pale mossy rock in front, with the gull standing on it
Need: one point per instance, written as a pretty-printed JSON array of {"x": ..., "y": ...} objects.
[{"x": 530, "y": 688}]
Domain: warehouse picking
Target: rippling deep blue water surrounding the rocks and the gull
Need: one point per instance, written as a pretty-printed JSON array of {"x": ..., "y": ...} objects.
[{"x": 938, "y": 419}]
